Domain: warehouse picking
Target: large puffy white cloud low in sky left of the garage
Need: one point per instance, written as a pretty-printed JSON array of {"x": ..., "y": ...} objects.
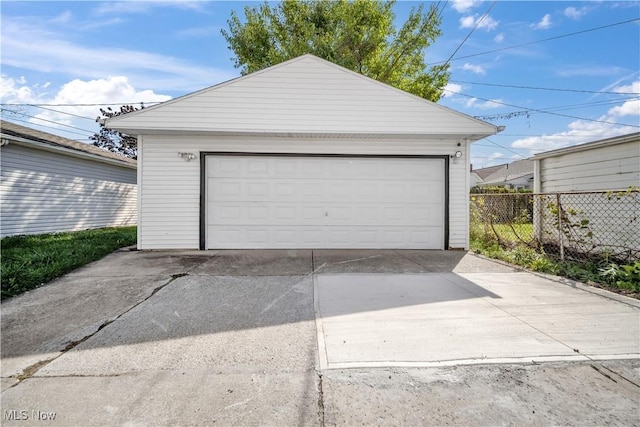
[{"x": 101, "y": 91}]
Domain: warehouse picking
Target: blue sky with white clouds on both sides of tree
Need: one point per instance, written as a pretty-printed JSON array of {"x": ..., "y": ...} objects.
[{"x": 553, "y": 73}]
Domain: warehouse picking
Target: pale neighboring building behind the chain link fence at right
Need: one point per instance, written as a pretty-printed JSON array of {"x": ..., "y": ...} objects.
[{"x": 598, "y": 213}]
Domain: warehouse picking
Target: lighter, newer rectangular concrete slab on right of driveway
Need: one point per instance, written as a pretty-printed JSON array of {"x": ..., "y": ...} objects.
[{"x": 446, "y": 319}]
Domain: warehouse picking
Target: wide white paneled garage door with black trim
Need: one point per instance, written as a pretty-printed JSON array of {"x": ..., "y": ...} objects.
[{"x": 324, "y": 202}]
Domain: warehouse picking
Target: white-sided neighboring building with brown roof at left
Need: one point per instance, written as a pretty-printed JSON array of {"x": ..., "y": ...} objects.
[{"x": 52, "y": 184}]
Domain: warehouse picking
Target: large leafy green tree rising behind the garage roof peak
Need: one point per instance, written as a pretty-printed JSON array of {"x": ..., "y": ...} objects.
[{"x": 358, "y": 35}]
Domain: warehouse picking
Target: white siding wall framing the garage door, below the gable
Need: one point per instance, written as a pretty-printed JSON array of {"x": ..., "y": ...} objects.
[{"x": 170, "y": 208}]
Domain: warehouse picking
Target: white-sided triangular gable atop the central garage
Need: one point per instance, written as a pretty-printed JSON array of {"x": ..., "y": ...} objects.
[{"x": 307, "y": 96}]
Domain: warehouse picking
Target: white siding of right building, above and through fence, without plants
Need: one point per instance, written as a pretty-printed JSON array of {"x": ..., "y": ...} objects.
[{"x": 609, "y": 166}]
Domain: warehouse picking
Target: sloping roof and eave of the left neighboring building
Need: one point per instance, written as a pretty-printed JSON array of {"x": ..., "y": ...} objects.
[{"x": 44, "y": 140}]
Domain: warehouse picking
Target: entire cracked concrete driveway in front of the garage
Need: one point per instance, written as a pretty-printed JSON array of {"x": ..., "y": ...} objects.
[{"x": 317, "y": 338}]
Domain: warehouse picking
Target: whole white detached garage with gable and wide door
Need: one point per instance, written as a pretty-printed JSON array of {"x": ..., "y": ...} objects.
[{"x": 304, "y": 154}]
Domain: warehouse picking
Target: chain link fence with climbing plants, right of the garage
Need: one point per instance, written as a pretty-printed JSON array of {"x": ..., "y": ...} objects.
[{"x": 587, "y": 226}]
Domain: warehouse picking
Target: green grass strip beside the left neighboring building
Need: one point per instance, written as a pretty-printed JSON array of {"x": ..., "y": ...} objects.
[{"x": 30, "y": 261}]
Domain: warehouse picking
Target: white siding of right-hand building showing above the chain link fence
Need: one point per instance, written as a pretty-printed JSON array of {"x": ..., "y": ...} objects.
[{"x": 609, "y": 167}]
